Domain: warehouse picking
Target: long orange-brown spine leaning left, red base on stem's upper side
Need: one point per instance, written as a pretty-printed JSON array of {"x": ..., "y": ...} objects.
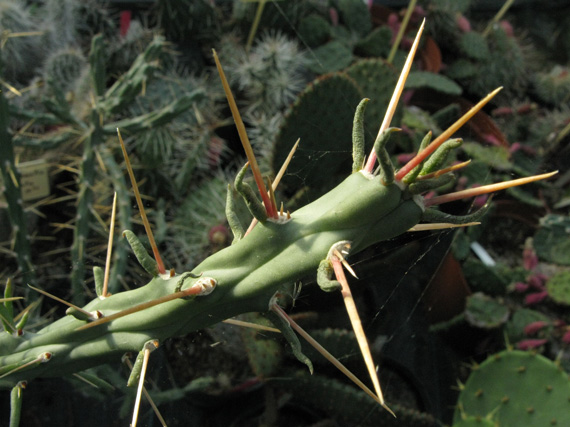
[{"x": 270, "y": 209}]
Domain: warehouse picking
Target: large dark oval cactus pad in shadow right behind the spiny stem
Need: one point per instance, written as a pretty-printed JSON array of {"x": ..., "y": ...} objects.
[{"x": 322, "y": 118}]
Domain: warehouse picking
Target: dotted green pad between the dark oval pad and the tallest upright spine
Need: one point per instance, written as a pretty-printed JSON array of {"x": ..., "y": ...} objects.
[{"x": 376, "y": 79}]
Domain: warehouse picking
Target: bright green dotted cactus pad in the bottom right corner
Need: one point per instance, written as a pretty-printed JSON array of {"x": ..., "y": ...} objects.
[{"x": 518, "y": 388}]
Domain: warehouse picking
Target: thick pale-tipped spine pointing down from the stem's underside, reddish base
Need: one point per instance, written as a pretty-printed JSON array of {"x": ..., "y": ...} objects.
[{"x": 357, "y": 325}]
